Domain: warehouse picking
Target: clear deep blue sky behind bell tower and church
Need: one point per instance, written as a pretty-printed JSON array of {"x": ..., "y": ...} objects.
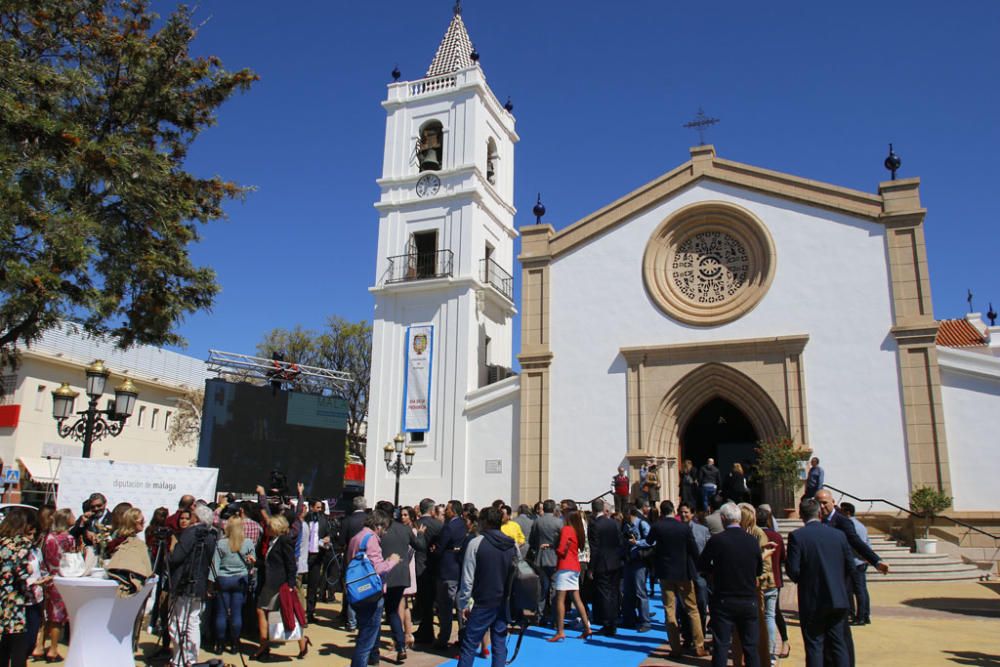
[{"x": 601, "y": 90}]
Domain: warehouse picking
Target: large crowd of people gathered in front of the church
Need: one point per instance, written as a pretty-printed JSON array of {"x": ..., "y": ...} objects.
[{"x": 586, "y": 570}]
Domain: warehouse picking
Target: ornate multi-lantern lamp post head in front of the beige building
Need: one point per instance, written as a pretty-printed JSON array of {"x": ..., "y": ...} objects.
[{"x": 93, "y": 424}]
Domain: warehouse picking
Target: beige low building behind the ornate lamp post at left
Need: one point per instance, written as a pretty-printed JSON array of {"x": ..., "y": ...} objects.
[{"x": 29, "y": 438}]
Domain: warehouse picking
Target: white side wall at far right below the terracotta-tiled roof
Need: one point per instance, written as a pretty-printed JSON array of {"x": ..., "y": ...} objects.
[{"x": 972, "y": 421}]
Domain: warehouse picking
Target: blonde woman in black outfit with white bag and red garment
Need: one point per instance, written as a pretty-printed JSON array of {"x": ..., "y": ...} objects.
[{"x": 279, "y": 567}]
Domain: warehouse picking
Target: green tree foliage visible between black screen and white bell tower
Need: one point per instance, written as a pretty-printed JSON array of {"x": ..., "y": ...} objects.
[{"x": 343, "y": 346}]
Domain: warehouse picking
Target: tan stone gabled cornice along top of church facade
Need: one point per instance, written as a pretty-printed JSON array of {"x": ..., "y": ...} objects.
[{"x": 704, "y": 164}]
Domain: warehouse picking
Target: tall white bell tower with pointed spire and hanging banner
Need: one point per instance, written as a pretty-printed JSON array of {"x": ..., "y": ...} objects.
[{"x": 443, "y": 282}]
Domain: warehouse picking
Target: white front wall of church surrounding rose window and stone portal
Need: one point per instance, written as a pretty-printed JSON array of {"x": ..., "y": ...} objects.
[{"x": 831, "y": 283}]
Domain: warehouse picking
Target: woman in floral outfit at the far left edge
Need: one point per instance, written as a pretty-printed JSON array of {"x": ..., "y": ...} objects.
[{"x": 16, "y": 534}]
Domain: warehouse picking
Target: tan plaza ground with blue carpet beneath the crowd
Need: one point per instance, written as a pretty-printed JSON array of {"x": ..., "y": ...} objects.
[{"x": 913, "y": 624}]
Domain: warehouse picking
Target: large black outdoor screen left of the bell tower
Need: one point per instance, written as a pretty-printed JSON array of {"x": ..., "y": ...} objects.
[{"x": 248, "y": 431}]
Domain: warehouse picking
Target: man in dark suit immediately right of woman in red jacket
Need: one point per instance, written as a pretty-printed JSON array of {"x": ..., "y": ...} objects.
[{"x": 606, "y": 547}]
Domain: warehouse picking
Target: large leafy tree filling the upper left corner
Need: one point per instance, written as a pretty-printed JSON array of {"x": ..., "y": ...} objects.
[{"x": 100, "y": 101}]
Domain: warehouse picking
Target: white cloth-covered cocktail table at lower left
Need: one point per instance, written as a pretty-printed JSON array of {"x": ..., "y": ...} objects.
[{"x": 101, "y": 623}]
